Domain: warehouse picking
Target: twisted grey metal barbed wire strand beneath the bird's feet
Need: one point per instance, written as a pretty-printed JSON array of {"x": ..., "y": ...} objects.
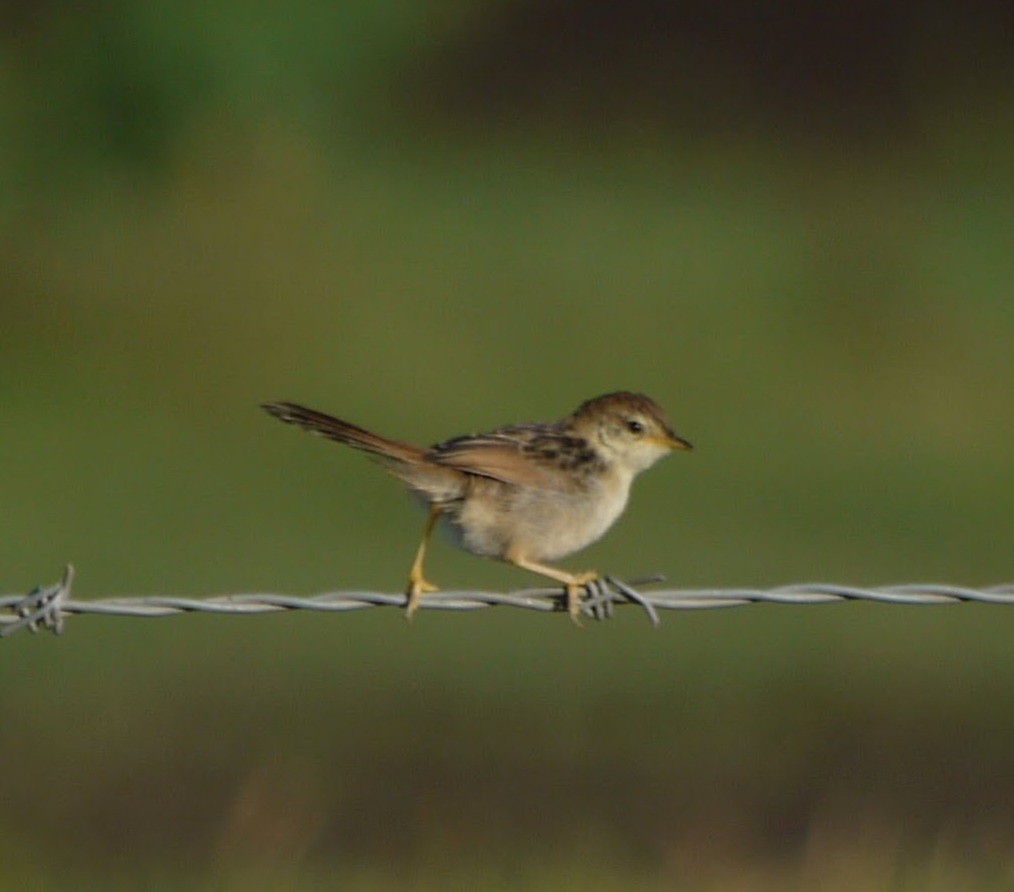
[{"x": 47, "y": 607}]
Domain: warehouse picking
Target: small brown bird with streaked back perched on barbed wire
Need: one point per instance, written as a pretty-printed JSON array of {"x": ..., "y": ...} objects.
[{"x": 525, "y": 494}]
